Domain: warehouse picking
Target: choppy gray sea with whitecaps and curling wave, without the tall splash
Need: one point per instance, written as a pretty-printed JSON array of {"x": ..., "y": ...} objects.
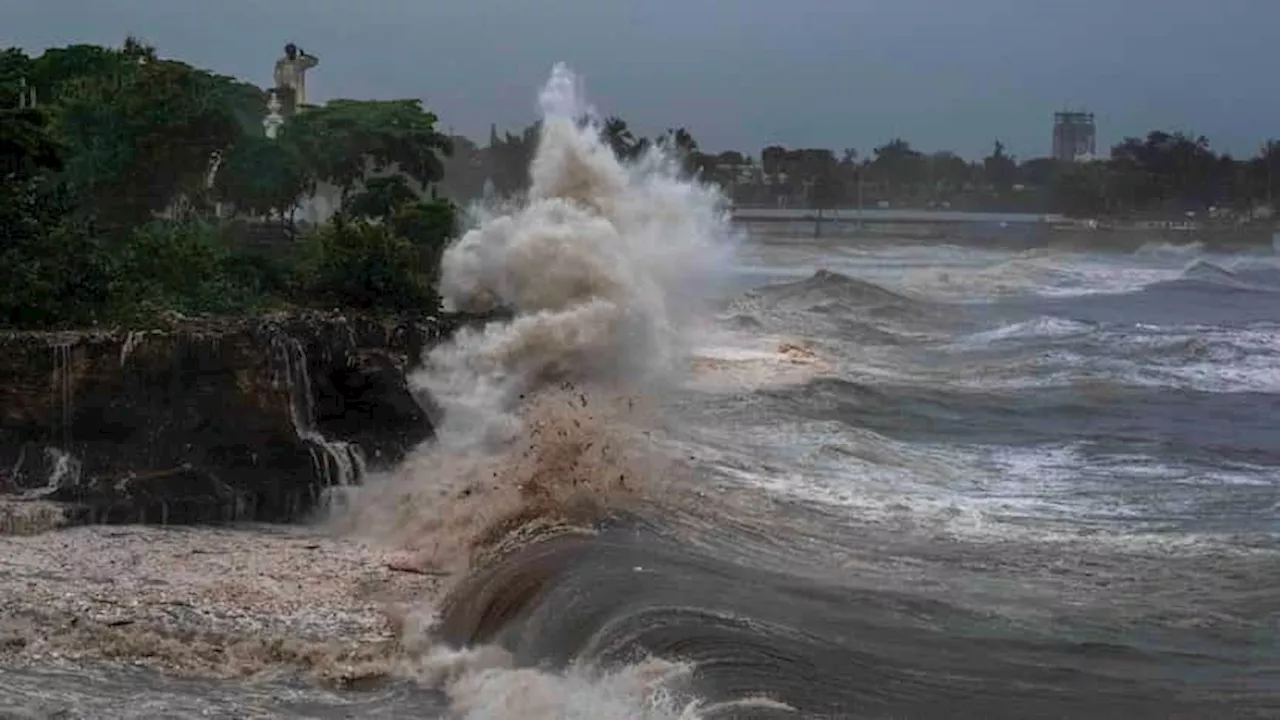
[{"x": 939, "y": 481}]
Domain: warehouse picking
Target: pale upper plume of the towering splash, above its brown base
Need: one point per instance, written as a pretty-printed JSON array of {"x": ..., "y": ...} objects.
[{"x": 602, "y": 266}]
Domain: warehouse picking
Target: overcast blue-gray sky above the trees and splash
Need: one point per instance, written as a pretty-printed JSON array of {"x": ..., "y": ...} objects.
[{"x": 747, "y": 74}]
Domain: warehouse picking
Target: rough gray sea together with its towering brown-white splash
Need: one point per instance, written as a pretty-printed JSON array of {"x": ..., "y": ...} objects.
[{"x": 879, "y": 480}]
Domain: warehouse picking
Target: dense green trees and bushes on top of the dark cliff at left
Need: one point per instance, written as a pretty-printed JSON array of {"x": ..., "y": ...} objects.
[{"x": 139, "y": 185}]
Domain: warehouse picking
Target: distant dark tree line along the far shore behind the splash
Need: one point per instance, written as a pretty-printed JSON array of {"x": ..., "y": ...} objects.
[{"x": 1163, "y": 174}]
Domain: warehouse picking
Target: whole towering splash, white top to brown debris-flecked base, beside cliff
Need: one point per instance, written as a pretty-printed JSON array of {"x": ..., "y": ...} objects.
[{"x": 604, "y": 267}]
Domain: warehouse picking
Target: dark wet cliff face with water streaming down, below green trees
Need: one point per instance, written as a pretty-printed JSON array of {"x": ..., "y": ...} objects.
[{"x": 205, "y": 421}]
